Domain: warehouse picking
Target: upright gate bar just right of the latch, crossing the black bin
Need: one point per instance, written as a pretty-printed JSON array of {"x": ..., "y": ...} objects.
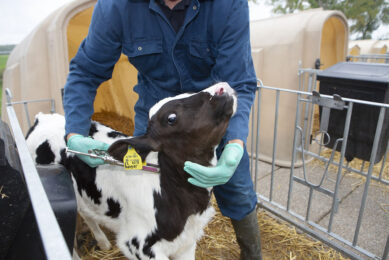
[{"x": 340, "y": 167}]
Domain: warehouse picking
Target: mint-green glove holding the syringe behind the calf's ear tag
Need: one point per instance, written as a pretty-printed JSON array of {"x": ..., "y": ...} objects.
[{"x": 84, "y": 144}]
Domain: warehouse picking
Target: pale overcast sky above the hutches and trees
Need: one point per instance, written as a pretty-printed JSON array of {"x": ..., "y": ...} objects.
[{"x": 20, "y": 17}]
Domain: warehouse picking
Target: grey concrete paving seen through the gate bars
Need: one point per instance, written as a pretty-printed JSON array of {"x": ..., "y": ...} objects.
[{"x": 374, "y": 230}]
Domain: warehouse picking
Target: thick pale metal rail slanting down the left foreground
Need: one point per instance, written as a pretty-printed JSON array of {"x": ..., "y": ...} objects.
[{"x": 52, "y": 238}]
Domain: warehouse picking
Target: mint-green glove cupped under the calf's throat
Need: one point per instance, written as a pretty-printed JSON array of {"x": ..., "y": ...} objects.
[{"x": 206, "y": 177}]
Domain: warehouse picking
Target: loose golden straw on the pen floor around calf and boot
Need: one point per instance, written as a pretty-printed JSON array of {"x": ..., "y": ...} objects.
[{"x": 279, "y": 241}]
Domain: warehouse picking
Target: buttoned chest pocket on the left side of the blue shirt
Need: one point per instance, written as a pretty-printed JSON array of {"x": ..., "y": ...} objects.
[{"x": 146, "y": 55}]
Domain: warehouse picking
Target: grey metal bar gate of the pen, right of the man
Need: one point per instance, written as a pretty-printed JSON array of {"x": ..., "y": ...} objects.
[{"x": 302, "y": 129}]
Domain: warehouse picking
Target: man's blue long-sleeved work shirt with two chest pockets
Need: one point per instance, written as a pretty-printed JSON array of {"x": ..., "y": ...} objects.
[{"x": 213, "y": 45}]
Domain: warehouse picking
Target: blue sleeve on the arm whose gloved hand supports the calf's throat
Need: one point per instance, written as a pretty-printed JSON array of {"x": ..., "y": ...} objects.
[{"x": 235, "y": 66}]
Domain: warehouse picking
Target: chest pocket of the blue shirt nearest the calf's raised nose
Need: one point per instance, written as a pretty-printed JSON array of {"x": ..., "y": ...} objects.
[{"x": 201, "y": 59}]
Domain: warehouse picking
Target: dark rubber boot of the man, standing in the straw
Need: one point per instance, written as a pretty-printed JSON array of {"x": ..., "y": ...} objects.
[{"x": 247, "y": 235}]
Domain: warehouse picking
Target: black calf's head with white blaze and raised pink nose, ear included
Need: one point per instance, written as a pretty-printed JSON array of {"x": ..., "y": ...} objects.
[{"x": 185, "y": 127}]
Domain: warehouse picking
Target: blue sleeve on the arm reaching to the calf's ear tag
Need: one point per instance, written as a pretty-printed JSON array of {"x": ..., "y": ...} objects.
[{"x": 92, "y": 65}]
